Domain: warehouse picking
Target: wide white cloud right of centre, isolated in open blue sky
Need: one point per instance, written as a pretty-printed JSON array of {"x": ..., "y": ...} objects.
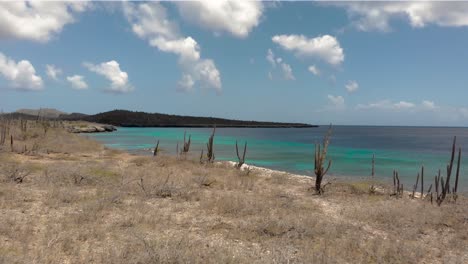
[{"x": 326, "y": 48}]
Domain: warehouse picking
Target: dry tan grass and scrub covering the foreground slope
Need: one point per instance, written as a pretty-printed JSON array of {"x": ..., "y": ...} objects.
[{"x": 82, "y": 203}]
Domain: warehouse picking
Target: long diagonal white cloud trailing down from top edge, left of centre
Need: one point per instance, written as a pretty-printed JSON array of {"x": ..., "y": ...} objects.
[{"x": 149, "y": 21}]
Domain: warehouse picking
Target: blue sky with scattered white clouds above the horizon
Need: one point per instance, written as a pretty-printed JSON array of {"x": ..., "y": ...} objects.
[{"x": 346, "y": 63}]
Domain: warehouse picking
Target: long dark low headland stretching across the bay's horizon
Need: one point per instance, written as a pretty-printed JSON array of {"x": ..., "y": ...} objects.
[{"x": 126, "y": 118}]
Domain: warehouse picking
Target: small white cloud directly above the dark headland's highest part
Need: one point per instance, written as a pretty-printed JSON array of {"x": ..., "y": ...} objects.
[{"x": 111, "y": 71}]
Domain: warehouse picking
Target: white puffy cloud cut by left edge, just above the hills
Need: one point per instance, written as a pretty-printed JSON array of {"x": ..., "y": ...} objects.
[{"x": 22, "y": 75}]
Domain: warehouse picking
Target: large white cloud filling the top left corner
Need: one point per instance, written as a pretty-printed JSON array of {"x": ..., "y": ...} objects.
[{"x": 36, "y": 20}]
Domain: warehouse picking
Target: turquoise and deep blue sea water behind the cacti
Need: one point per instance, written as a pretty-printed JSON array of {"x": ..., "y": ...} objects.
[{"x": 292, "y": 149}]
